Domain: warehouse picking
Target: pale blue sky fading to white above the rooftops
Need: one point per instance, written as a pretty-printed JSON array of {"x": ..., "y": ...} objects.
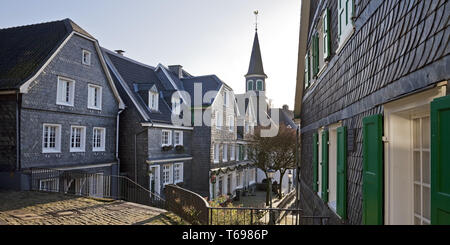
[{"x": 204, "y": 36}]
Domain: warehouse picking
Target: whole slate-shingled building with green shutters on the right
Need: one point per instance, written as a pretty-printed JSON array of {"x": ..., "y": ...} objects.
[{"x": 372, "y": 97}]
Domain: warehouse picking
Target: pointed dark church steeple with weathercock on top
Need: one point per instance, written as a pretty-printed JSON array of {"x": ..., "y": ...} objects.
[{"x": 256, "y": 78}]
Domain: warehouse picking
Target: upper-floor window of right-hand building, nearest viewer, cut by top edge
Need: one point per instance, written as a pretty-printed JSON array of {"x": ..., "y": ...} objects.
[{"x": 345, "y": 21}]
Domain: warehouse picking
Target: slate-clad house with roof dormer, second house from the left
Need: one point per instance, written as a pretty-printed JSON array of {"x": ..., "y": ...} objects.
[{"x": 154, "y": 152}]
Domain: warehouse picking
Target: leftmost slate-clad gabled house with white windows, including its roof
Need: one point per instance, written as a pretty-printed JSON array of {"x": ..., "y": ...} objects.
[{"x": 59, "y": 107}]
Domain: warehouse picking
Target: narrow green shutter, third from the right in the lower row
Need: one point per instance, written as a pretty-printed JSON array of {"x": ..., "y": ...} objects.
[{"x": 341, "y": 189}]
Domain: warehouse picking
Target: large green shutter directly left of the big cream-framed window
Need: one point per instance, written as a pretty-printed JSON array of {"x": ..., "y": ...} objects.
[{"x": 373, "y": 170}]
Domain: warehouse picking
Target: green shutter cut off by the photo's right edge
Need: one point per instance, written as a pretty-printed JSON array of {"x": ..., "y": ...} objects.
[{"x": 440, "y": 161}]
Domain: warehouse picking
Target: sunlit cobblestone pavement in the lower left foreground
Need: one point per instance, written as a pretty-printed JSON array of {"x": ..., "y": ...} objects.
[{"x": 37, "y": 208}]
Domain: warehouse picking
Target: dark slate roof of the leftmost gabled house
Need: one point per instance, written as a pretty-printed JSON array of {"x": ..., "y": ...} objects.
[{"x": 25, "y": 49}]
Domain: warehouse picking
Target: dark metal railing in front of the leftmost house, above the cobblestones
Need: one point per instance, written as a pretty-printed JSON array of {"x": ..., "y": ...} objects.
[{"x": 97, "y": 185}]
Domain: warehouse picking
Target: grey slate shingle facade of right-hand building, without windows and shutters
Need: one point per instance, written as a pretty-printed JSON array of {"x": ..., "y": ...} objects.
[{"x": 398, "y": 47}]
